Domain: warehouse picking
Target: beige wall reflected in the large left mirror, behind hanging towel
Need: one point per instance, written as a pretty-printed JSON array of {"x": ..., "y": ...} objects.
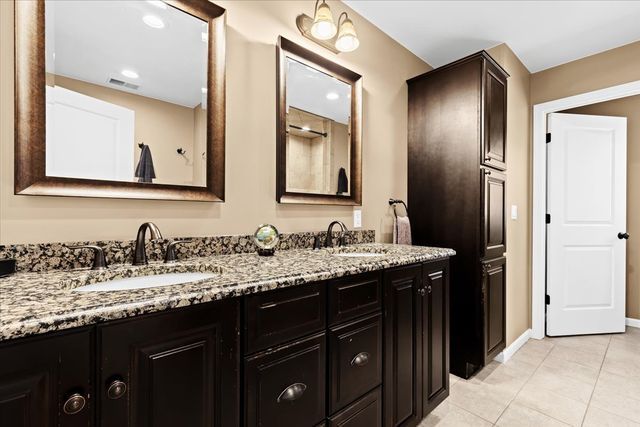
[{"x": 163, "y": 126}]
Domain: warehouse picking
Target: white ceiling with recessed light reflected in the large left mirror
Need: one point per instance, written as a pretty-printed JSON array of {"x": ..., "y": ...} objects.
[{"x": 94, "y": 41}]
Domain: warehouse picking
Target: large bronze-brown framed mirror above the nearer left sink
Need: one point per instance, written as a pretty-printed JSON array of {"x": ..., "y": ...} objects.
[{"x": 120, "y": 99}]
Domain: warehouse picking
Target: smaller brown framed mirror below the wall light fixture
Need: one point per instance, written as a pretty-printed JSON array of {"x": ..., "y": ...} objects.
[{"x": 319, "y": 132}]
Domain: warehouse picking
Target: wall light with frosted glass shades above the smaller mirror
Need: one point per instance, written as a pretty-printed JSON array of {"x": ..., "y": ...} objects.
[{"x": 323, "y": 31}]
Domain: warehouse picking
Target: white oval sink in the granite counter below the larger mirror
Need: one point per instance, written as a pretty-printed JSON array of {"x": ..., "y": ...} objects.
[{"x": 143, "y": 282}]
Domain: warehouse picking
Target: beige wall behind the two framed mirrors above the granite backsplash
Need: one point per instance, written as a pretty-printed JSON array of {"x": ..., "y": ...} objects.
[{"x": 252, "y": 31}]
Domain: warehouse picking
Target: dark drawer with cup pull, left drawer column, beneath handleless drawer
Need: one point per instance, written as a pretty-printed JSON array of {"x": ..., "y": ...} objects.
[{"x": 286, "y": 386}]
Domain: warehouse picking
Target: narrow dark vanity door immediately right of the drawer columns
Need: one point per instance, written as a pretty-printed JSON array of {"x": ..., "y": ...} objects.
[{"x": 403, "y": 346}]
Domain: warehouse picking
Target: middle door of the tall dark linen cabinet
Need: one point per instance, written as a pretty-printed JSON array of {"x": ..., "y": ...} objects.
[{"x": 494, "y": 193}]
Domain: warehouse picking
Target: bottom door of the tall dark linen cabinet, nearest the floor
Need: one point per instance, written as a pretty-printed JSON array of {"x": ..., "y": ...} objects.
[{"x": 493, "y": 295}]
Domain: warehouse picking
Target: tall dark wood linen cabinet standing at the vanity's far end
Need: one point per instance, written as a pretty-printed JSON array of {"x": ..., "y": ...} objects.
[{"x": 456, "y": 195}]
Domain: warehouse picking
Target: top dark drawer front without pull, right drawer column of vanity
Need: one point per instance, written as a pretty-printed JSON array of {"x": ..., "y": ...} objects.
[{"x": 354, "y": 296}]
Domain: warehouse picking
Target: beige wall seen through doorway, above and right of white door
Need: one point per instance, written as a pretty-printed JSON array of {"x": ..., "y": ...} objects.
[{"x": 627, "y": 107}]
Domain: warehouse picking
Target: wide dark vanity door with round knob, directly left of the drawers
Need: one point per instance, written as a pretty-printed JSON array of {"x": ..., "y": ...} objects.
[{"x": 178, "y": 368}]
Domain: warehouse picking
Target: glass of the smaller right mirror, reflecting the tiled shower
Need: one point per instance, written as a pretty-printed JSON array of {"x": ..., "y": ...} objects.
[{"x": 318, "y": 134}]
